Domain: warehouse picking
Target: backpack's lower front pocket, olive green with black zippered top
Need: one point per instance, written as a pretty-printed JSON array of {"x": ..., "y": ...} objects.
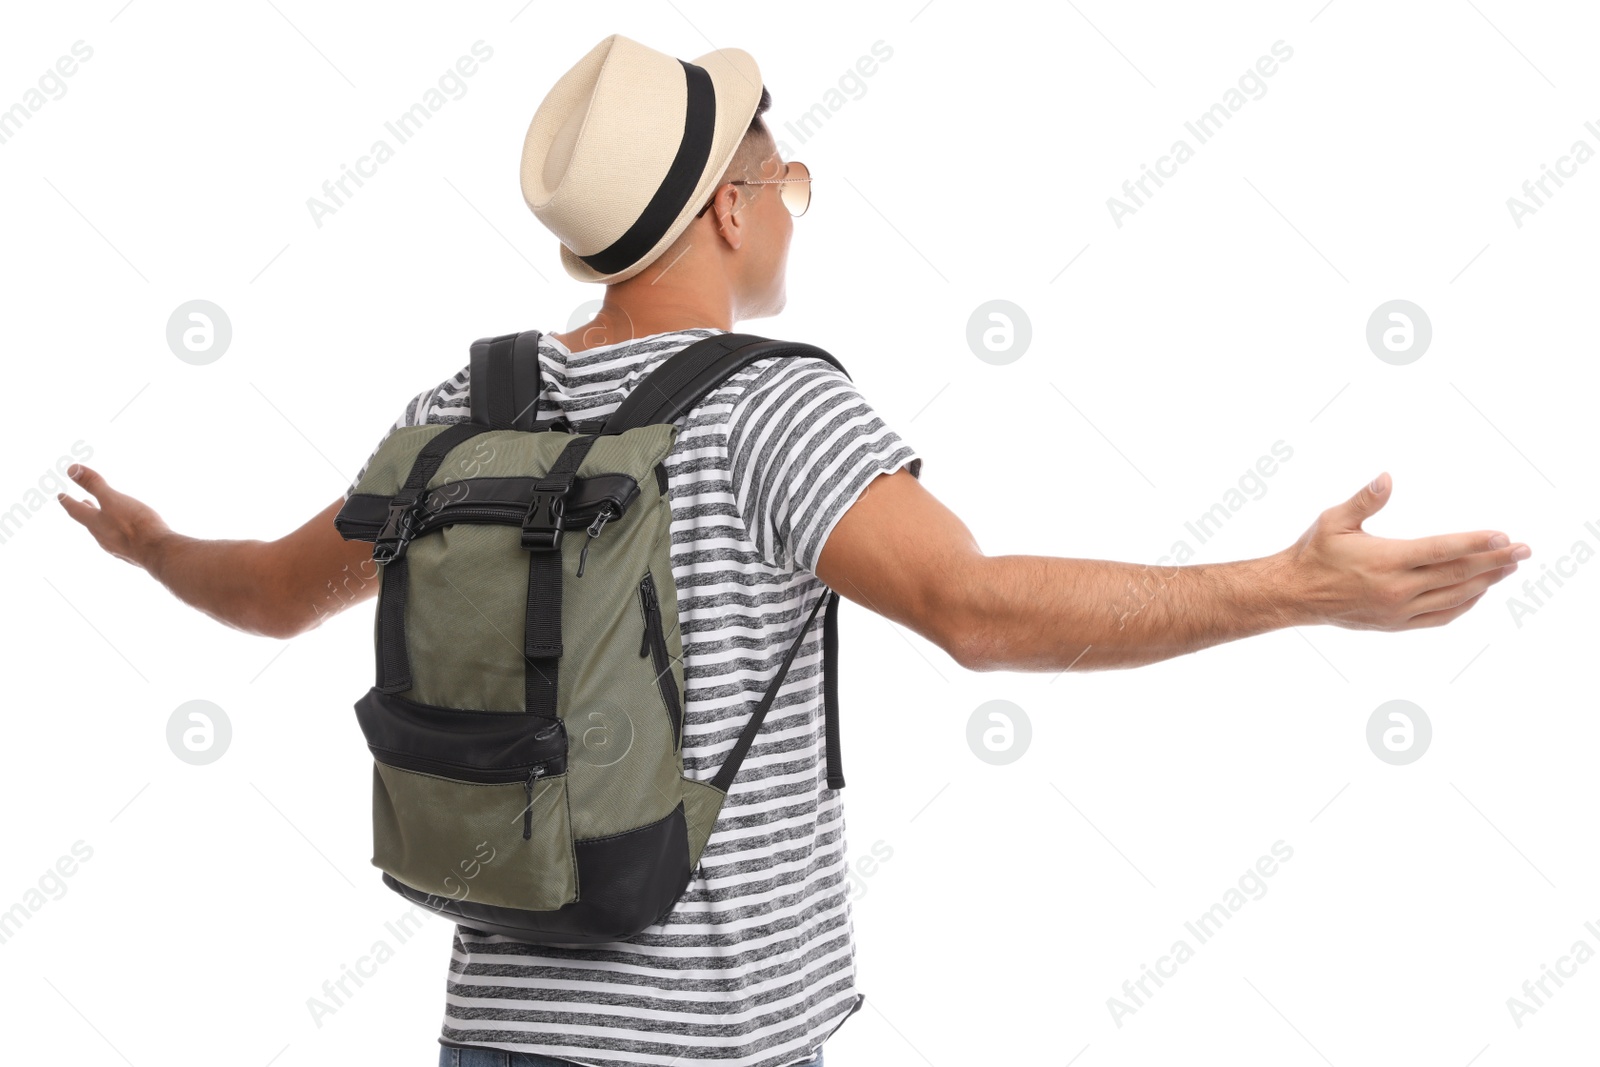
[{"x": 471, "y": 805}]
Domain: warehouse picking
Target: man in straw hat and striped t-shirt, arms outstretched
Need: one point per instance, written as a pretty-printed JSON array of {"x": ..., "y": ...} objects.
[{"x": 663, "y": 183}]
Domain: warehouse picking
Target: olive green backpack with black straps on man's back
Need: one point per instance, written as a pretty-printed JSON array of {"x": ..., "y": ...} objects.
[{"x": 527, "y": 719}]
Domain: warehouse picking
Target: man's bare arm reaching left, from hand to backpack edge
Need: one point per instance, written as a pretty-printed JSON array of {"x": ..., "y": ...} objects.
[{"x": 268, "y": 588}]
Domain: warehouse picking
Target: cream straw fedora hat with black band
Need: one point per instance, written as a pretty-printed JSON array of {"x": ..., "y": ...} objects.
[{"x": 628, "y": 146}]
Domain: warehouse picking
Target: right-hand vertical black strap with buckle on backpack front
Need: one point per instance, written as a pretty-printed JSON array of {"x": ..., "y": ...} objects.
[{"x": 543, "y": 540}]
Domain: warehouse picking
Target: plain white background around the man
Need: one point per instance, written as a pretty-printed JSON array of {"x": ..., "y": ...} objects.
[{"x": 975, "y": 164}]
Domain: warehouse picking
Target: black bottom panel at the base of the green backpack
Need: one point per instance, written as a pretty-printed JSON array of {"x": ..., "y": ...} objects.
[{"x": 625, "y": 884}]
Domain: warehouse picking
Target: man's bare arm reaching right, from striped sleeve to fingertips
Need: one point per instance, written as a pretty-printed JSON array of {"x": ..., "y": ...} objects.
[{"x": 900, "y": 553}]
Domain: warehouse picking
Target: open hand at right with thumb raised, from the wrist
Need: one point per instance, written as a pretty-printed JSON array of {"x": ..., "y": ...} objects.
[{"x": 1338, "y": 573}]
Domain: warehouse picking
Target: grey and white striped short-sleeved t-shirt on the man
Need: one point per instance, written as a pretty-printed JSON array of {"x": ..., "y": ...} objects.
[{"x": 754, "y": 967}]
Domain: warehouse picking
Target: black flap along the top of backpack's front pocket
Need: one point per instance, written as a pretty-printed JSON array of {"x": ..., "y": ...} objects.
[{"x": 474, "y": 743}]
